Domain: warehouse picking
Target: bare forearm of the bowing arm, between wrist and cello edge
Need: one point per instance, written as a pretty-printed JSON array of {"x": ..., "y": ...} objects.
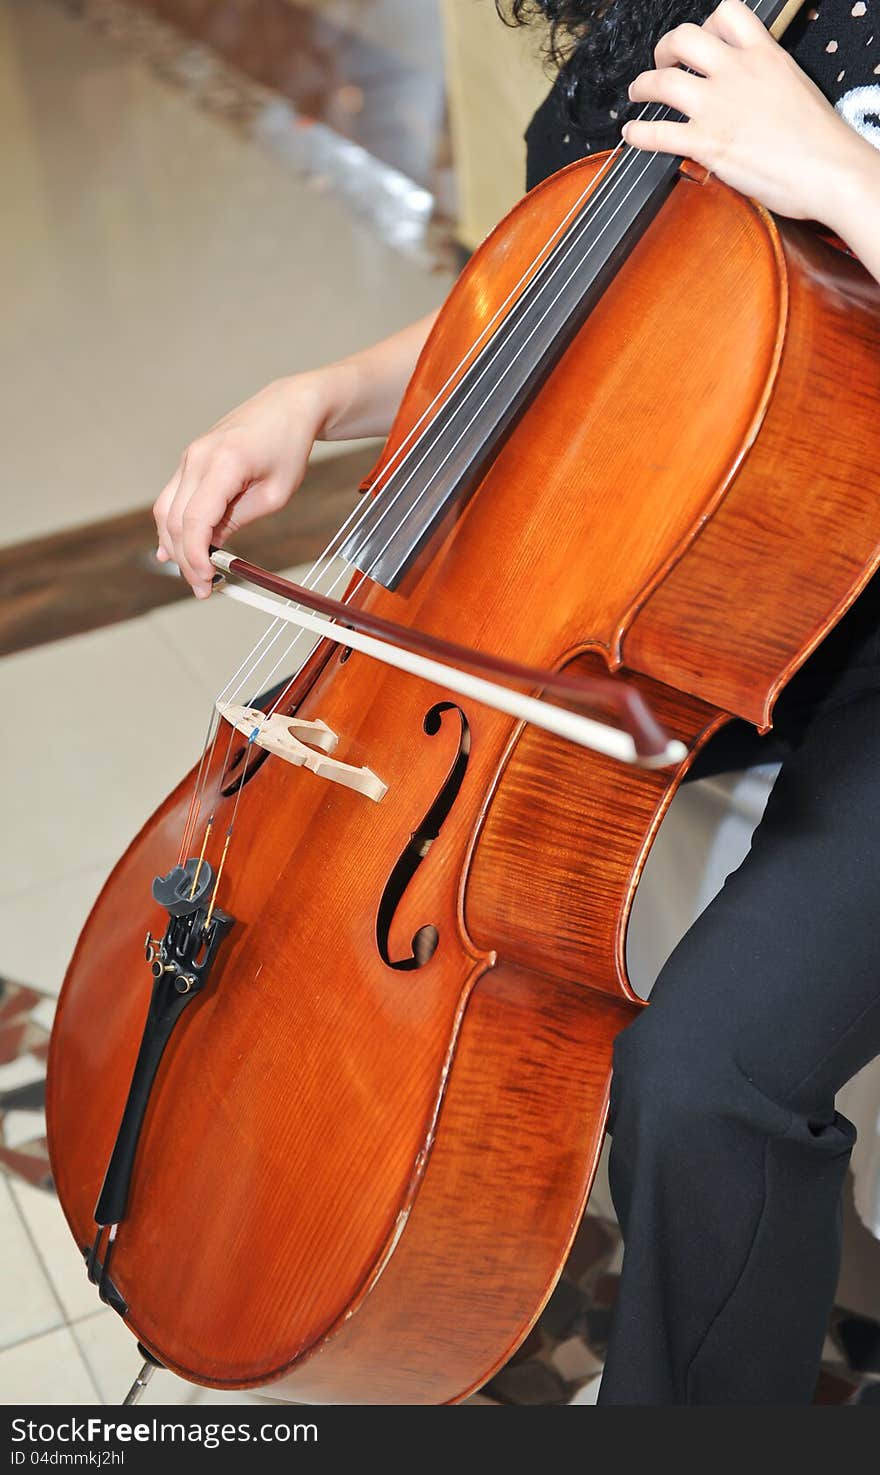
[{"x": 360, "y": 396}]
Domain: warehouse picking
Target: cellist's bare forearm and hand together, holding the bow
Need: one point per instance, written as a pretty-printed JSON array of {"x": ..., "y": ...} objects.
[{"x": 253, "y": 461}]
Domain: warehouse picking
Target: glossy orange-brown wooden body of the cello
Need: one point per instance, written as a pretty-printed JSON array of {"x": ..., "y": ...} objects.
[{"x": 359, "y": 1178}]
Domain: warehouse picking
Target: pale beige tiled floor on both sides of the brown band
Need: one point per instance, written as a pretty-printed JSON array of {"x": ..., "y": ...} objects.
[{"x": 164, "y": 268}]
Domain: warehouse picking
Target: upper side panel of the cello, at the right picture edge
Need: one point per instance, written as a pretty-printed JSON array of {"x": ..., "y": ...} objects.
[{"x": 798, "y": 535}]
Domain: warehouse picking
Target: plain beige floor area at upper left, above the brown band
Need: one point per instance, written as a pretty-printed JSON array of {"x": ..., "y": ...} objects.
[{"x": 164, "y": 268}]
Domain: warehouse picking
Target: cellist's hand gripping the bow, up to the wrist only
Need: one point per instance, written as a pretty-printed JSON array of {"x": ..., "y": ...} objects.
[{"x": 245, "y": 467}]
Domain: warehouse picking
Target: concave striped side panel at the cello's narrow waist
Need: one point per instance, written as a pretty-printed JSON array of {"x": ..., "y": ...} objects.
[{"x": 562, "y": 908}]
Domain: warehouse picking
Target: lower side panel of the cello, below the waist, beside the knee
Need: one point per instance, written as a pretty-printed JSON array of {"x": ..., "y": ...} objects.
[{"x": 483, "y": 1246}]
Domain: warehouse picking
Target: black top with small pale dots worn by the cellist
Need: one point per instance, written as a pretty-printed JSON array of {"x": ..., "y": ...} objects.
[{"x": 837, "y": 44}]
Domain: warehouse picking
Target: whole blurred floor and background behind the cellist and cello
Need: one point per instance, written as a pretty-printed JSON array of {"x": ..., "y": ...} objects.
[{"x": 200, "y": 197}]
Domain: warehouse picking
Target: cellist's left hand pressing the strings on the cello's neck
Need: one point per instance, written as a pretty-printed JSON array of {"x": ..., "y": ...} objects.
[{"x": 755, "y": 119}]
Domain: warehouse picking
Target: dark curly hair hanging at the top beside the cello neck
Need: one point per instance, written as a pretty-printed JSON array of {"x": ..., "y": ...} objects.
[{"x": 602, "y": 45}]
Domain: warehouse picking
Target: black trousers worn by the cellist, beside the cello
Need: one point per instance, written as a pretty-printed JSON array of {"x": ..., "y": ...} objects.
[{"x": 727, "y": 1153}]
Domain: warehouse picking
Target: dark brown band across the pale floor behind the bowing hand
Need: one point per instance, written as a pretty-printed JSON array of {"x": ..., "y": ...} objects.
[{"x": 98, "y": 575}]
